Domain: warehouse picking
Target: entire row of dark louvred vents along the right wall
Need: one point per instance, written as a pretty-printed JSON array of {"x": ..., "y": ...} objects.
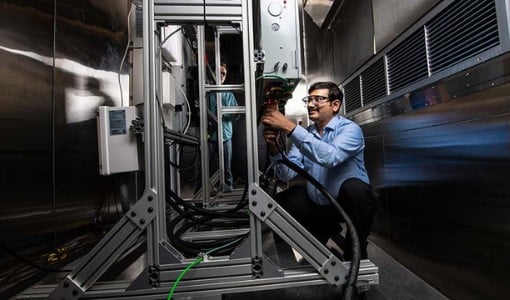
[{"x": 460, "y": 31}]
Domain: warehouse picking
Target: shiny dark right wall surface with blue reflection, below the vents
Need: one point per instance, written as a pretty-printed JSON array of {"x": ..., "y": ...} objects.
[{"x": 439, "y": 160}]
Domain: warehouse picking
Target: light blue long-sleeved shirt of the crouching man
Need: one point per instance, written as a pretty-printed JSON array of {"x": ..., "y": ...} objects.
[{"x": 331, "y": 159}]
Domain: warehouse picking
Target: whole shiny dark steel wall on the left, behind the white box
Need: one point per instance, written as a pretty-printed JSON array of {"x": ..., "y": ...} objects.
[{"x": 51, "y": 191}]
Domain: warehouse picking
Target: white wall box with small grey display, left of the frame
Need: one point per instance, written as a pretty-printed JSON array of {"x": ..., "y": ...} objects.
[{"x": 118, "y": 150}]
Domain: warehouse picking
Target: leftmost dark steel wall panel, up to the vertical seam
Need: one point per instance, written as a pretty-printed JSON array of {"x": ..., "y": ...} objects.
[{"x": 25, "y": 126}]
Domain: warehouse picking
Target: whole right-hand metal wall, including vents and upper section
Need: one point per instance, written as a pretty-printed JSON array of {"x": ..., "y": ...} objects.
[{"x": 437, "y": 145}]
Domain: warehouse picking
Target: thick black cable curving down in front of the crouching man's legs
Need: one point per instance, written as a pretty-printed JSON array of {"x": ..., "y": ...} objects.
[{"x": 352, "y": 275}]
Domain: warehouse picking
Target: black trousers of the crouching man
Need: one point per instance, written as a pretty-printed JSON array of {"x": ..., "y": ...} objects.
[{"x": 355, "y": 197}]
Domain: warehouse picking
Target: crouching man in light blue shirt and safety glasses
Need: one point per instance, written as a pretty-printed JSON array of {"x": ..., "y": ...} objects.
[{"x": 331, "y": 150}]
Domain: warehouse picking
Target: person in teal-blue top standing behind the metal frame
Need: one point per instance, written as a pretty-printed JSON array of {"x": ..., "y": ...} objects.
[{"x": 227, "y": 99}]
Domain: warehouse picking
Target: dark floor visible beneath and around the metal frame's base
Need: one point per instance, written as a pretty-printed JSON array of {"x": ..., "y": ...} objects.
[{"x": 395, "y": 281}]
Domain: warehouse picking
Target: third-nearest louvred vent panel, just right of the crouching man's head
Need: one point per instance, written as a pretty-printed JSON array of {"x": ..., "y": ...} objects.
[{"x": 373, "y": 82}]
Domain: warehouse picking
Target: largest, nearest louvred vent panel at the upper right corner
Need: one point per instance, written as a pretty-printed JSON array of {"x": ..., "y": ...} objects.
[{"x": 464, "y": 29}]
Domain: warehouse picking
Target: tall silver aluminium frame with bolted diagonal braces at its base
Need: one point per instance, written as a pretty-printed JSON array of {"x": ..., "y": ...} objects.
[{"x": 244, "y": 269}]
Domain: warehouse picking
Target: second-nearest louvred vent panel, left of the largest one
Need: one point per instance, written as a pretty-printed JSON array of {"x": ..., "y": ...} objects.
[{"x": 407, "y": 63}]
